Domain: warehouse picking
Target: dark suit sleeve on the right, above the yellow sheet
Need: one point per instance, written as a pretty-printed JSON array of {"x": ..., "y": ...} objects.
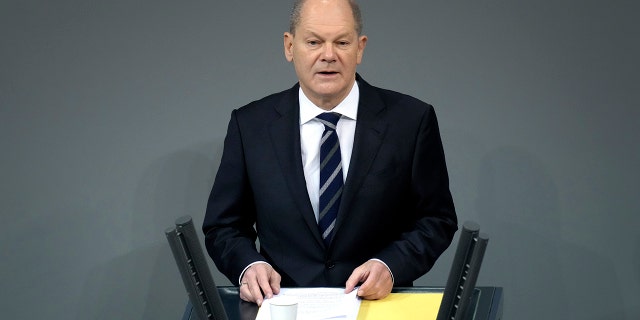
[{"x": 433, "y": 212}]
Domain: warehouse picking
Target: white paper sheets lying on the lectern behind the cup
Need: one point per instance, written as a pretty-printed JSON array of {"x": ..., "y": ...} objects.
[{"x": 318, "y": 304}]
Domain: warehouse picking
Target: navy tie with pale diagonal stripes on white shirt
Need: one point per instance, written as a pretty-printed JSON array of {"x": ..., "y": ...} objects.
[{"x": 331, "y": 179}]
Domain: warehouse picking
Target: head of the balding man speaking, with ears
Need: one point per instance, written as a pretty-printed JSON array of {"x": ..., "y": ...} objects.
[{"x": 325, "y": 51}]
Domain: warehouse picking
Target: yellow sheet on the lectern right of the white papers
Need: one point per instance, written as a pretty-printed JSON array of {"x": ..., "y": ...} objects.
[{"x": 406, "y": 306}]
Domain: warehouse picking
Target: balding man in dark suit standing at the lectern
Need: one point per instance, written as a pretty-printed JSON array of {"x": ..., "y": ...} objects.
[{"x": 390, "y": 214}]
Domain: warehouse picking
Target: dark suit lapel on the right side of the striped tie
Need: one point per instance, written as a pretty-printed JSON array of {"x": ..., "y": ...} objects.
[{"x": 370, "y": 129}]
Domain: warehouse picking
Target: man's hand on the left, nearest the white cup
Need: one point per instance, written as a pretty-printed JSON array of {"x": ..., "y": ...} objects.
[{"x": 258, "y": 282}]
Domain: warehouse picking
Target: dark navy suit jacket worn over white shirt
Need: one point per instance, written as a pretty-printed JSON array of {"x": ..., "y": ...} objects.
[{"x": 396, "y": 204}]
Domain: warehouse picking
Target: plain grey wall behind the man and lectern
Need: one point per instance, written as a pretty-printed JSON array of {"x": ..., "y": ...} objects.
[{"x": 113, "y": 113}]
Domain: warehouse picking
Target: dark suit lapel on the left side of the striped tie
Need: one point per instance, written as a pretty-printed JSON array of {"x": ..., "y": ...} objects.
[{"x": 285, "y": 137}]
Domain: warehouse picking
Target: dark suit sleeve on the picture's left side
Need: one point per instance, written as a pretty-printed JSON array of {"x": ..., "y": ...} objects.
[{"x": 230, "y": 216}]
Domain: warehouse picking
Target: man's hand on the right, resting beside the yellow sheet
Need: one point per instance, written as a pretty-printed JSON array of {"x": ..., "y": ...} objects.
[{"x": 375, "y": 278}]
